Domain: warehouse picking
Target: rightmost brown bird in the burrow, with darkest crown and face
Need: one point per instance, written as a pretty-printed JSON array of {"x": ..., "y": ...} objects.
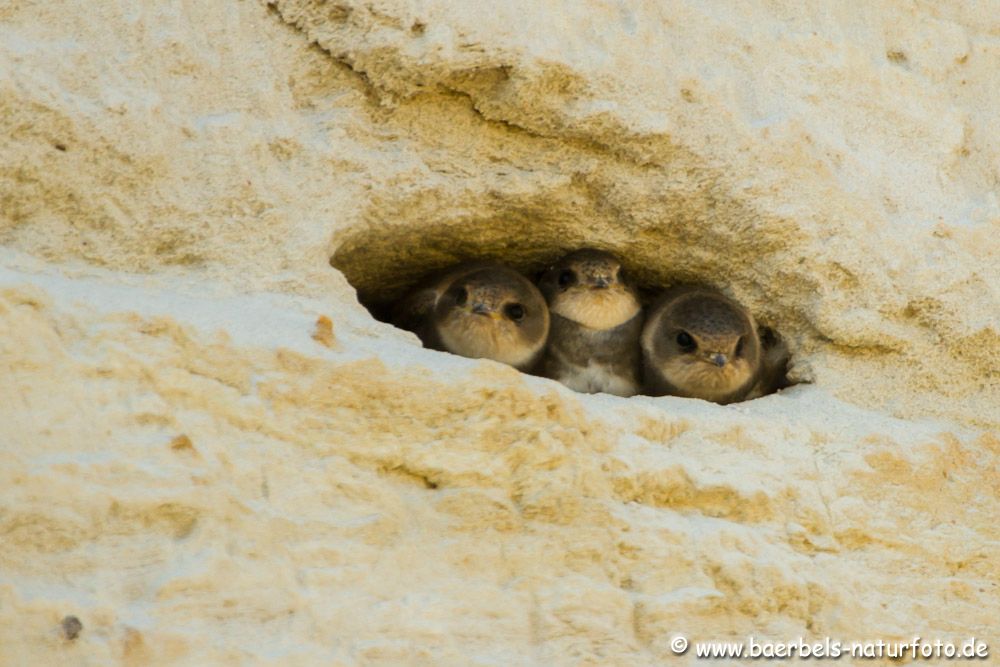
[{"x": 699, "y": 343}]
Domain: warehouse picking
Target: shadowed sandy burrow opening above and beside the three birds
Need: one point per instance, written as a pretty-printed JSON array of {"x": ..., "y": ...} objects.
[{"x": 385, "y": 261}]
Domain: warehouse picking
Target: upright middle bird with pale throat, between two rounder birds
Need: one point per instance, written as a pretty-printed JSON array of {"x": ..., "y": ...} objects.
[{"x": 596, "y": 322}]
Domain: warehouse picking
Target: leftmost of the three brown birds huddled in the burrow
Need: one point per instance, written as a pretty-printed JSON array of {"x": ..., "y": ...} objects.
[{"x": 478, "y": 310}]
